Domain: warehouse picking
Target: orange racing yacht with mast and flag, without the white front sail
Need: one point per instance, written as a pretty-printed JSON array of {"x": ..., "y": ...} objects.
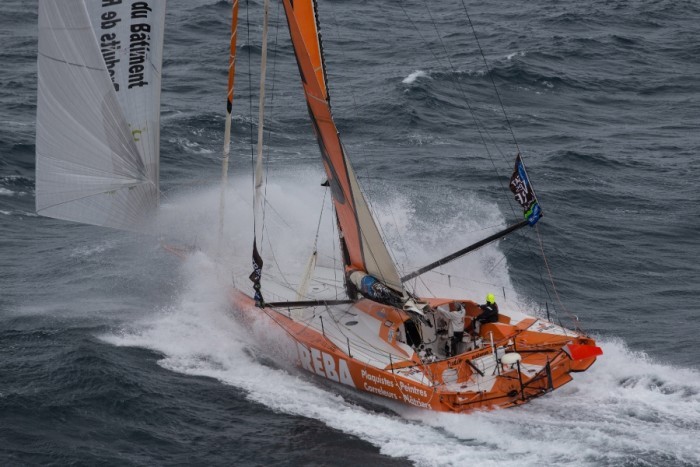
[{"x": 434, "y": 353}]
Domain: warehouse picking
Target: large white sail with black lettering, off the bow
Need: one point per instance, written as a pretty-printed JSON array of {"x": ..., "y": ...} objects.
[{"x": 98, "y": 110}]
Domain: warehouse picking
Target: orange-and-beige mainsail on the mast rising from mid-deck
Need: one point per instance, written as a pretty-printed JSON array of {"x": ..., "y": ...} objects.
[{"x": 365, "y": 246}]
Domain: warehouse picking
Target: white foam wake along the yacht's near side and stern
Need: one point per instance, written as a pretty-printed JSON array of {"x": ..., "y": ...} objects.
[{"x": 625, "y": 404}]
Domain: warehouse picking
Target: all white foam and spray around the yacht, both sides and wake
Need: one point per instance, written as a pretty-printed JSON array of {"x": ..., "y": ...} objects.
[{"x": 626, "y": 408}]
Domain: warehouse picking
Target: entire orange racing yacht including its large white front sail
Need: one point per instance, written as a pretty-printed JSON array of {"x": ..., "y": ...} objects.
[{"x": 363, "y": 326}]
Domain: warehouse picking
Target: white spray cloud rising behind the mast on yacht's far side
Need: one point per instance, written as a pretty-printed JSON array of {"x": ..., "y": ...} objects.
[{"x": 293, "y": 215}]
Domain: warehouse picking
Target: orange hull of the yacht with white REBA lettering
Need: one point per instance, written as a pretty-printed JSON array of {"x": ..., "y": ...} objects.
[{"x": 475, "y": 379}]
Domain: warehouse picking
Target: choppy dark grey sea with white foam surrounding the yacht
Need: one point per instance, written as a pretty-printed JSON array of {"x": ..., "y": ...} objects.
[{"x": 114, "y": 352}]
